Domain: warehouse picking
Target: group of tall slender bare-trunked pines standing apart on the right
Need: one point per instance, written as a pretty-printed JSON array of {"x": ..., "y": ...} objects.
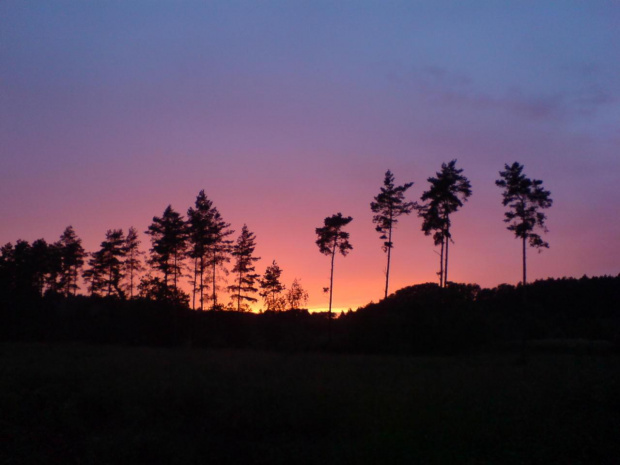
[{"x": 448, "y": 190}]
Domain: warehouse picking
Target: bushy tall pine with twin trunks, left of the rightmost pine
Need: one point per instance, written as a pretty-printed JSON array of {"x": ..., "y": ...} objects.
[{"x": 447, "y": 193}]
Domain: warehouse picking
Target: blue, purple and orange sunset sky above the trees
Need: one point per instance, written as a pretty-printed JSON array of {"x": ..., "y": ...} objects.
[{"x": 286, "y": 112}]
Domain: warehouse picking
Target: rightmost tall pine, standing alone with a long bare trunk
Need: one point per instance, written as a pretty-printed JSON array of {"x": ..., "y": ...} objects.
[{"x": 525, "y": 198}]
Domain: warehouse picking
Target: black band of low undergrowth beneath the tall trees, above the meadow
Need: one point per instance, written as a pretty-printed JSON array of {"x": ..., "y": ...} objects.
[{"x": 419, "y": 319}]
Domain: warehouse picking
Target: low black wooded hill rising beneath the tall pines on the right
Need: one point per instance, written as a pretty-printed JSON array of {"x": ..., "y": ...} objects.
[{"x": 427, "y": 318}]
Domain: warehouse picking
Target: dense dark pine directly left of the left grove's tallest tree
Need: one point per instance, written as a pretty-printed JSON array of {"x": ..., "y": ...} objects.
[{"x": 168, "y": 240}]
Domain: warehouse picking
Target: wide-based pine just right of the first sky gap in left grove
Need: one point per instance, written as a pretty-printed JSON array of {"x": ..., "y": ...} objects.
[{"x": 106, "y": 265}]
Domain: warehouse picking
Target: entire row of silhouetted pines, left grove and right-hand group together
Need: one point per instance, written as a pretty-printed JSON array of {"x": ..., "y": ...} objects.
[{"x": 200, "y": 247}]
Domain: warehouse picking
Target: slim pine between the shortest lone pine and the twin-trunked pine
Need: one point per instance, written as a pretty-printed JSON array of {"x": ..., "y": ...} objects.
[{"x": 389, "y": 204}]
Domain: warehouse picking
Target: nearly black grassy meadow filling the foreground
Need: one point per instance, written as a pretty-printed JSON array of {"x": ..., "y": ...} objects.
[{"x": 90, "y": 405}]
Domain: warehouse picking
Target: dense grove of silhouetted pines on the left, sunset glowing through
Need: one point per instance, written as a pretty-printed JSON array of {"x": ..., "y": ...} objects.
[{"x": 198, "y": 247}]
